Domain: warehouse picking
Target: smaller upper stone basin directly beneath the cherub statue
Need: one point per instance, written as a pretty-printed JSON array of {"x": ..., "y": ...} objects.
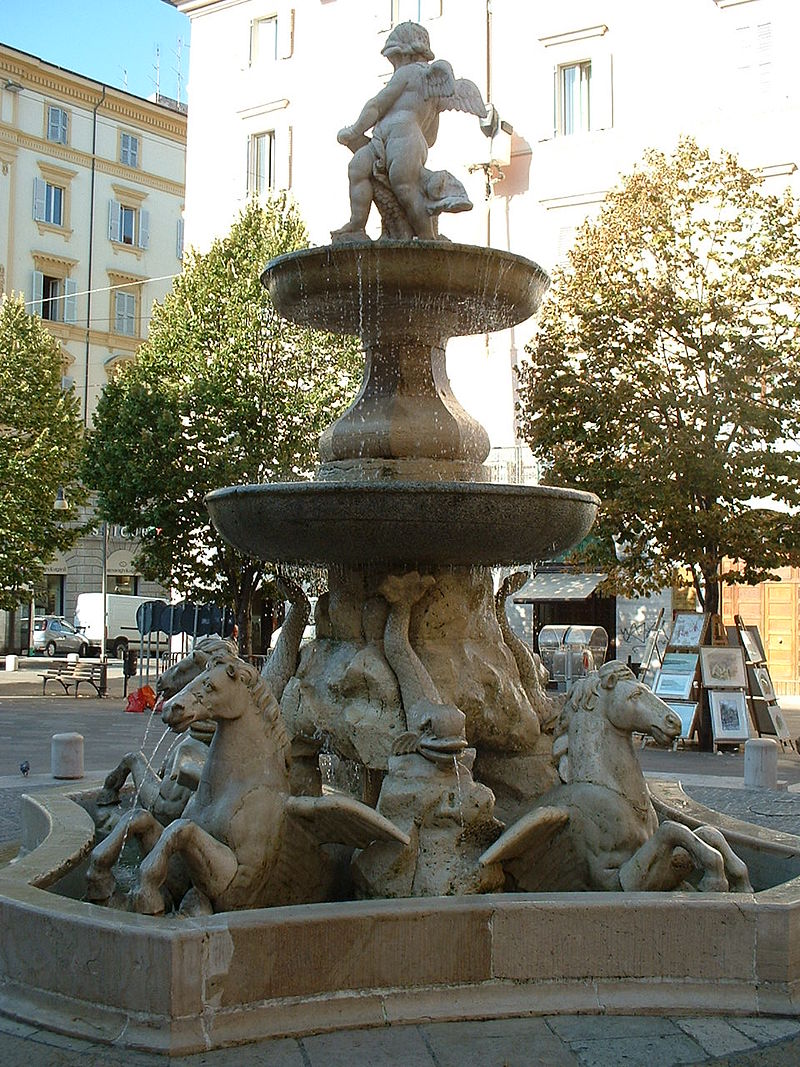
[{"x": 423, "y": 289}]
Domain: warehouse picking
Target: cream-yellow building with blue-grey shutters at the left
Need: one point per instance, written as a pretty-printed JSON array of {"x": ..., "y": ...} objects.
[{"x": 92, "y": 183}]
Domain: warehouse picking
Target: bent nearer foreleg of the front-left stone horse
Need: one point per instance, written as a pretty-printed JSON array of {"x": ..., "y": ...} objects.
[{"x": 210, "y": 864}]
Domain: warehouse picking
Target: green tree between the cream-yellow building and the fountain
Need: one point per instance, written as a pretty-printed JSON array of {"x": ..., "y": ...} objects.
[{"x": 223, "y": 392}]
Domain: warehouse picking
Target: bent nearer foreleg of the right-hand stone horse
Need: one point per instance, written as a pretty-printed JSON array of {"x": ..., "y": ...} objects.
[{"x": 661, "y": 865}]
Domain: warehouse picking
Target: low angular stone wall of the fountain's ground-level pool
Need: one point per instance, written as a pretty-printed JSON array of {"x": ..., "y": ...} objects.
[{"x": 179, "y": 986}]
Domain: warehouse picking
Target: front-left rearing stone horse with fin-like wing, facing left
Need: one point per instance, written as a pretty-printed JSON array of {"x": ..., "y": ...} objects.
[{"x": 244, "y": 841}]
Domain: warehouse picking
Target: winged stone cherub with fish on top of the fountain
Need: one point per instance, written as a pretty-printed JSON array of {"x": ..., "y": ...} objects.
[{"x": 389, "y": 168}]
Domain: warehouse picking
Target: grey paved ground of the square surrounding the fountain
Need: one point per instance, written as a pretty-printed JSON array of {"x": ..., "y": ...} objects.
[{"x": 27, "y": 725}]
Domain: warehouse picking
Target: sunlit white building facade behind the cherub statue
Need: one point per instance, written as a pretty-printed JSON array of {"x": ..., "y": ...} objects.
[{"x": 586, "y": 86}]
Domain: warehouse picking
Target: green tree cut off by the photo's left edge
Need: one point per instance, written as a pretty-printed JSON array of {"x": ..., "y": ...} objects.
[{"x": 41, "y": 444}]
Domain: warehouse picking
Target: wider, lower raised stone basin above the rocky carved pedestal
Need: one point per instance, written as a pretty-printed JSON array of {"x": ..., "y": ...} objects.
[{"x": 410, "y": 523}]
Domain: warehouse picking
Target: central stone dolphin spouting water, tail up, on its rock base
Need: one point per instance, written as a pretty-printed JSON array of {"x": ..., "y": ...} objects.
[{"x": 429, "y": 791}]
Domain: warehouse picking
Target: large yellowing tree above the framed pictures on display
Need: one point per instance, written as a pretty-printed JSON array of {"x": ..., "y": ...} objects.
[{"x": 665, "y": 376}]
